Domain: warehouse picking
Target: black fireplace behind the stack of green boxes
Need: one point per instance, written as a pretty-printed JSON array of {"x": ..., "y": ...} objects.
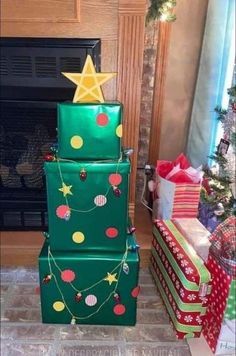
[{"x": 31, "y": 87}]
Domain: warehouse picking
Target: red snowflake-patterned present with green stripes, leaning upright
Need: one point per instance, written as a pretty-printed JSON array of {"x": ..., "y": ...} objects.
[{"x": 181, "y": 277}]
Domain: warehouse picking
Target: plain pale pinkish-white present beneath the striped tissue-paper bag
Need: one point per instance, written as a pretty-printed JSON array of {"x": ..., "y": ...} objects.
[{"x": 196, "y": 234}]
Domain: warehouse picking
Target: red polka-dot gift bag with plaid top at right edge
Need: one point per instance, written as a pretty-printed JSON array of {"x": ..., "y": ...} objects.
[{"x": 219, "y": 327}]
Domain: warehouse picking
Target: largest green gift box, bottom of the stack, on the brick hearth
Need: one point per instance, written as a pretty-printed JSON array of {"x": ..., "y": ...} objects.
[{"x": 89, "y": 288}]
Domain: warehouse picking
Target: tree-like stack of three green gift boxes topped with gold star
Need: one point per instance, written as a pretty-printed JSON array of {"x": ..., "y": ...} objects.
[{"x": 89, "y": 263}]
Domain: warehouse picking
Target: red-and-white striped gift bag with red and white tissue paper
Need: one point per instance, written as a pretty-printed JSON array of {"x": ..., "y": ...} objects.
[{"x": 178, "y": 189}]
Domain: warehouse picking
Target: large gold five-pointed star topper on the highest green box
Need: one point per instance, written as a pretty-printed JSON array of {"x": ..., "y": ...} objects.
[{"x": 88, "y": 83}]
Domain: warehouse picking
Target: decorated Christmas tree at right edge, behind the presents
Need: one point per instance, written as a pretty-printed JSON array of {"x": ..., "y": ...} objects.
[{"x": 219, "y": 180}]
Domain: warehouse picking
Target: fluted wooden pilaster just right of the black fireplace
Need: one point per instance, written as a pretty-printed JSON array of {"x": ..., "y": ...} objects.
[{"x": 130, "y": 66}]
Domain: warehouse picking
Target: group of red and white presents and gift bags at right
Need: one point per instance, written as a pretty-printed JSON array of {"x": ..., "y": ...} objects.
[{"x": 193, "y": 268}]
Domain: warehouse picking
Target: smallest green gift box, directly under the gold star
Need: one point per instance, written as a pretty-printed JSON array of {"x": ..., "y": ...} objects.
[{"x": 89, "y": 130}]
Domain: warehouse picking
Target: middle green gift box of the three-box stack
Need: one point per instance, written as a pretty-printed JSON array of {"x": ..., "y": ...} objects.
[{"x": 87, "y": 204}]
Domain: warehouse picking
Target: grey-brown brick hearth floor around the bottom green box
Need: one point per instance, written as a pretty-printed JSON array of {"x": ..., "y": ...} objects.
[{"x": 22, "y": 332}]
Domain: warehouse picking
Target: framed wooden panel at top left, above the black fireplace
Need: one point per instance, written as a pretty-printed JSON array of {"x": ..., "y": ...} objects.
[{"x": 40, "y": 10}]
